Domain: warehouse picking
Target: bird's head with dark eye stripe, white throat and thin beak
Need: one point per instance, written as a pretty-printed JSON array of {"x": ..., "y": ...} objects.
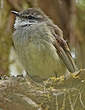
[{"x": 28, "y": 17}]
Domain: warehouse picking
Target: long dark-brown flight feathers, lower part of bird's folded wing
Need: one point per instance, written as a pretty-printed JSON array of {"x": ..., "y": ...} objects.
[{"x": 66, "y": 57}]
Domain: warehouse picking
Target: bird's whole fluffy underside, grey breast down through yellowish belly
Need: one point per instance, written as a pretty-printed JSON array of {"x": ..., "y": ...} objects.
[{"x": 37, "y": 53}]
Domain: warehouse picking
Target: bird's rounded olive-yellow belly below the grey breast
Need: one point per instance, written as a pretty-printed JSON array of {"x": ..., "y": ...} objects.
[{"x": 40, "y": 59}]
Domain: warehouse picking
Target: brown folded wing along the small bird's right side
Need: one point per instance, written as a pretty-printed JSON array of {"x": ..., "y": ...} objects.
[{"x": 62, "y": 48}]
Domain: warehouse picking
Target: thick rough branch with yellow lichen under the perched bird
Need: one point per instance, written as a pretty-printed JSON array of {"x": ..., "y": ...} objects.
[{"x": 18, "y": 93}]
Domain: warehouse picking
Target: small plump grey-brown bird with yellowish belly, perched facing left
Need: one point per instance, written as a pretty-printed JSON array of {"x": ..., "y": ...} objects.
[{"x": 39, "y": 44}]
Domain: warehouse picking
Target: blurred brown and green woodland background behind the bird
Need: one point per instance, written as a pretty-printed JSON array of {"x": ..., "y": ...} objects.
[{"x": 69, "y": 15}]
